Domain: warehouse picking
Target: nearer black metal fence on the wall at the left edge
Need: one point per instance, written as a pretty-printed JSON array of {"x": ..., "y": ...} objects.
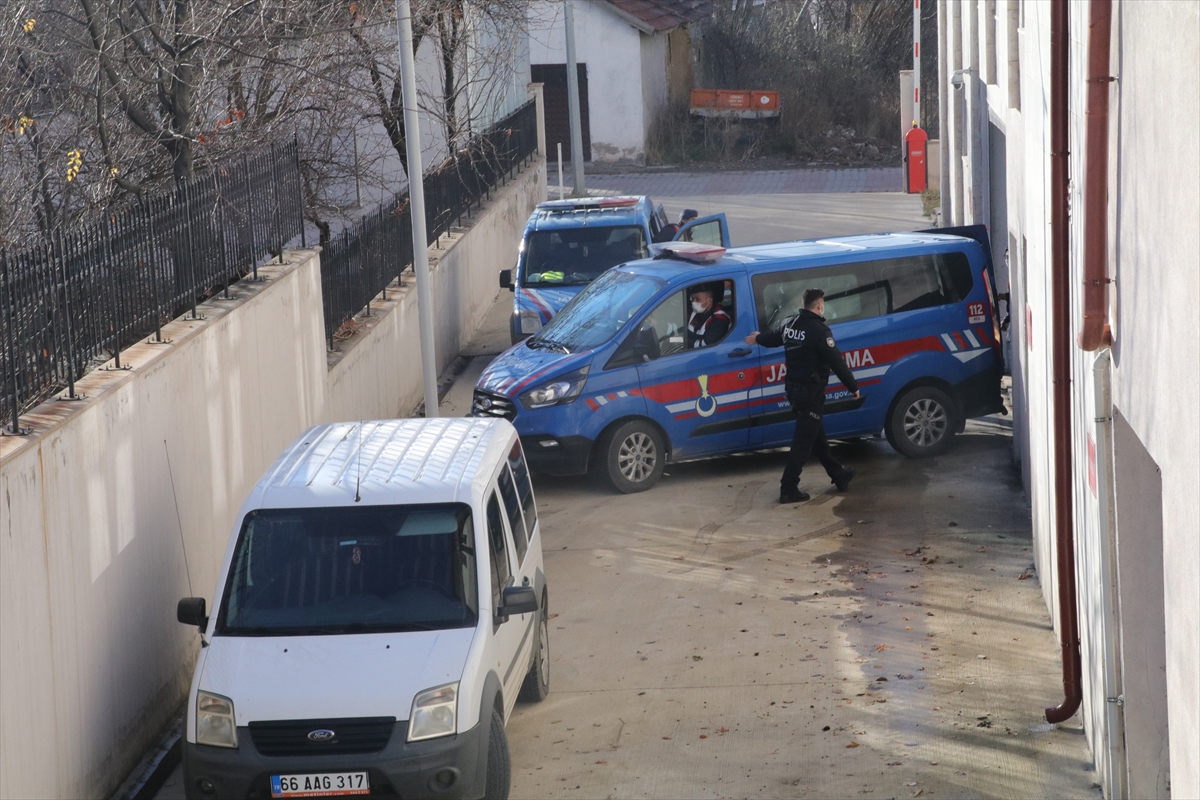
[{"x": 76, "y": 300}]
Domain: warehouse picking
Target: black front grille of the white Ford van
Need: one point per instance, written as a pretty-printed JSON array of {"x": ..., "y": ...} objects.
[{"x": 322, "y": 737}]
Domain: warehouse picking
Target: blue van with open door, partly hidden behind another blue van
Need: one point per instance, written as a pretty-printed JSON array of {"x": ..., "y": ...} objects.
[{"x": 568, "y": 244}]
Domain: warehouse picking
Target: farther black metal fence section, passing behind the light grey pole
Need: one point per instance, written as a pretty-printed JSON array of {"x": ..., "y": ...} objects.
[{"x": 364, "y": 260}]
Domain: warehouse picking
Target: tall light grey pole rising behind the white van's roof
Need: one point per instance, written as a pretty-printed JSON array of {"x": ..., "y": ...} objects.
[{"x": 417, "y": 204}]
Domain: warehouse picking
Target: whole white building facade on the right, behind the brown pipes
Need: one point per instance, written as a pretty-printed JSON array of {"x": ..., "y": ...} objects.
[{"x": 1135, "y": 428}]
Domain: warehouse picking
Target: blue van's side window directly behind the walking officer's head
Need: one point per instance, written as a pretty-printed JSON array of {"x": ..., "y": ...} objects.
[{"x": 851, "y": 293}]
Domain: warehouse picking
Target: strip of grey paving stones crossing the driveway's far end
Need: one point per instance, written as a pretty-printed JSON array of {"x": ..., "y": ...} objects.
[{"x": 778, "y": 182}]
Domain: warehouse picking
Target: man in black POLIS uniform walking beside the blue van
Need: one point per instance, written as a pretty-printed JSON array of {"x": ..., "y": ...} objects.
[{"x": 812, "y": 354}]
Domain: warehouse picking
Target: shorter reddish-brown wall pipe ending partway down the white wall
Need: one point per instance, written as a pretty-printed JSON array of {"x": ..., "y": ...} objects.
[{"x": 1095, "y": 330}]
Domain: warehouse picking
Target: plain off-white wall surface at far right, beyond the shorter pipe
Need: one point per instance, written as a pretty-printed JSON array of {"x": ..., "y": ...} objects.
[{"x": 1155, "y": 201}]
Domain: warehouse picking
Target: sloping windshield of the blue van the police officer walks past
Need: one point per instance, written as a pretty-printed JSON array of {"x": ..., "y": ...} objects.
[{"x": 598, "y": 314}]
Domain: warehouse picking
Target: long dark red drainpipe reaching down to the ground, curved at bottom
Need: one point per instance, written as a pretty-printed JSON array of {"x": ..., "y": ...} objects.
[{"x": 1060, "y": 310}]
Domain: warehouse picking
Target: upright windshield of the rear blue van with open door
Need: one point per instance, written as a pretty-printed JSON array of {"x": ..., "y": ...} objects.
[{"x": 578, "y": 256}]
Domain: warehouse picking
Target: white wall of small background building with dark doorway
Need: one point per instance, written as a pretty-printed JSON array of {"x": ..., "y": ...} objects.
[{"x": 613, "y": 50}]
